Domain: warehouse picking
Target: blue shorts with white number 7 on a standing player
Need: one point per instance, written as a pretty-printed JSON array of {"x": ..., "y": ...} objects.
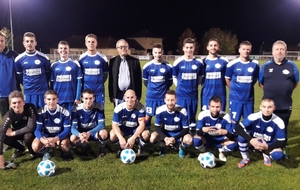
[{"x": 238, "y": 109}]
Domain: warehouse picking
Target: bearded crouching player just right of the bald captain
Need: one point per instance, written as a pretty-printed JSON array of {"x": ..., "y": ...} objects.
[{"x": 171, "y": 126}]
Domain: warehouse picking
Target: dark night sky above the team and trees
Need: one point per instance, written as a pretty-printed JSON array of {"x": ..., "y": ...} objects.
[{"x": 254, "y": 20}]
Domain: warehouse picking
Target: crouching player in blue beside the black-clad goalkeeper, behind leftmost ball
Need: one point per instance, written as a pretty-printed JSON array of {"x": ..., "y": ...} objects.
[{"x": 52, "y": 127}]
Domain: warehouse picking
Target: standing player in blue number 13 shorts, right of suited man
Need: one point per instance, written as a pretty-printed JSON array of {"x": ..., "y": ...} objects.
[{"x": 157, "y": 77}]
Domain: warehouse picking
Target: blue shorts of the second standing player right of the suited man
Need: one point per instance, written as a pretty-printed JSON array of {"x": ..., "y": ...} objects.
[{"x": 191, "y": 107}]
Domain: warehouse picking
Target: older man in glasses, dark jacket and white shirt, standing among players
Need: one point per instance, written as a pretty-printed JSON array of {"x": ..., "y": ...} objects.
[{"x": 124, "y": 73}]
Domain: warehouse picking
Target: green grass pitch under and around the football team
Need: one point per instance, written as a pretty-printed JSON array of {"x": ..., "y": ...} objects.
[{"x": 169, "y": 172}]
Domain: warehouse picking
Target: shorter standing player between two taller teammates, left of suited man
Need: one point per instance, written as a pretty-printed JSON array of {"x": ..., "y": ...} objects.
[{"x": 66, "y": 78}]
